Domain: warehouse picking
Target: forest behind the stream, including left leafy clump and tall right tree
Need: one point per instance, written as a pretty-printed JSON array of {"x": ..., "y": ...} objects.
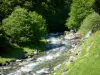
[{"x": 37, "y": 17}]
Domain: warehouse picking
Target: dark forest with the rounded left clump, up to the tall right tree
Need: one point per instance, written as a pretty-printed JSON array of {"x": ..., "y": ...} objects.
[{"x": 28, "y": 21}]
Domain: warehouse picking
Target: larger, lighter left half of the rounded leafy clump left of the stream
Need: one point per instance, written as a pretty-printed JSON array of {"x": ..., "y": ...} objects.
[{"x": 16, "y": 25}]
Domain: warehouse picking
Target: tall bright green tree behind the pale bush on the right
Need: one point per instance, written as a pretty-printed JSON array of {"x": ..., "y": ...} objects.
[{"x": 79, "y": 10}]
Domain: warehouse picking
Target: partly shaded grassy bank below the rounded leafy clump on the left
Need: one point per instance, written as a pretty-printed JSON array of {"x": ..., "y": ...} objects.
[{"x": 18, "y": 51}]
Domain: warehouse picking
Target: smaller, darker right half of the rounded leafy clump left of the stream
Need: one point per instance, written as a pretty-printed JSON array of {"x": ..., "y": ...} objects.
[{"x": 37, "y": 26}]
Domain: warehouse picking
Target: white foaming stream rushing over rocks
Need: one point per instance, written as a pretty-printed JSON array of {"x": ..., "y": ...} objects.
[{"x": 55, "y": 54}]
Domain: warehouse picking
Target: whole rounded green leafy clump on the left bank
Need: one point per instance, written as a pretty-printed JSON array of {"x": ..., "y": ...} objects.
[{"x": 22, "y": 26}]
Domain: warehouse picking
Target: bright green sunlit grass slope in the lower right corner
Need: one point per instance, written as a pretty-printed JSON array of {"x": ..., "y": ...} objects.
[{"x": 89, "y": 61}]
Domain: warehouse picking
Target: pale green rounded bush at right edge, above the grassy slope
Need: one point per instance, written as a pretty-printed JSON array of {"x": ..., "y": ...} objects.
[{"x": 91, "y": 22}]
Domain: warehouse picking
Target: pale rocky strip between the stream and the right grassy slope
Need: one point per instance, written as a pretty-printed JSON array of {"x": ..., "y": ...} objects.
[{"x": 73, "y": 53}]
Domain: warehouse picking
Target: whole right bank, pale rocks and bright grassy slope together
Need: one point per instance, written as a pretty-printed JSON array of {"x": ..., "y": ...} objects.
[{"x": 84, "y": 59}]
